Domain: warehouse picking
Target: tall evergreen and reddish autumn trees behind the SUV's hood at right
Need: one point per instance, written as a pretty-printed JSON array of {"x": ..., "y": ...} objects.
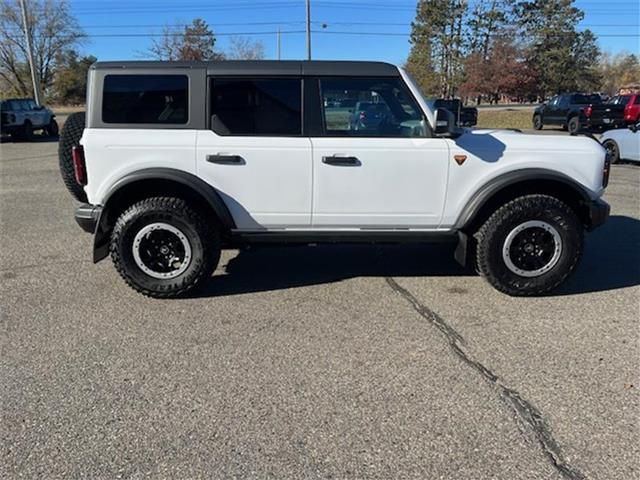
[{"x": 520, "y": 50}]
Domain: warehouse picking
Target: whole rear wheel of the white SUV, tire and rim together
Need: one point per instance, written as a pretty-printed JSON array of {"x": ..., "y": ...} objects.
[{"x": 163, "y": 248}]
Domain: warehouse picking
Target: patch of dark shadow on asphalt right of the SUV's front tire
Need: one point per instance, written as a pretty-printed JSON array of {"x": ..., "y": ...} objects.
[{"x": 611, "y": 259}]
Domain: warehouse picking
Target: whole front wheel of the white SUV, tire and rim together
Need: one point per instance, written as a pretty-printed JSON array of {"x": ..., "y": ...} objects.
[{"x": 530, "y": 245}]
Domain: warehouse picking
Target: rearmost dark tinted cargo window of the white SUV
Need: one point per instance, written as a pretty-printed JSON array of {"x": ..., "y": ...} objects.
[{"x": 145, "y": 99}]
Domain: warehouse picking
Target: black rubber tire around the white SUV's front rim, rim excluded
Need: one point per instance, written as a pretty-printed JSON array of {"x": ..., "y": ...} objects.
[{"x": 491, "y": 237}]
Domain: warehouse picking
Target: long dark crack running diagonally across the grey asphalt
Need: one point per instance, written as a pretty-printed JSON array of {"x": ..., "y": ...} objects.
[{"x": 524, "y": 410}]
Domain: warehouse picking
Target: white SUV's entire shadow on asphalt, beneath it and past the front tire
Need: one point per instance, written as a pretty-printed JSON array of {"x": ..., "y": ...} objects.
[{"x": 611, "y": 261}]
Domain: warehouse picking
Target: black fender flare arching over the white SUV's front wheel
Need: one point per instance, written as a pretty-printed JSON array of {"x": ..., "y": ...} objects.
[{"x": 483, "y": 194}]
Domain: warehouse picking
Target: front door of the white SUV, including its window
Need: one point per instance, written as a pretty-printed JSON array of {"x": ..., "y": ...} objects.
[{"x": 375, "y": 165}]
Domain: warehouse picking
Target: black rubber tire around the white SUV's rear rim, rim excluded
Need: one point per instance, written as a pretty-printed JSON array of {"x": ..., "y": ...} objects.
[{"x": 203, "y": 237}]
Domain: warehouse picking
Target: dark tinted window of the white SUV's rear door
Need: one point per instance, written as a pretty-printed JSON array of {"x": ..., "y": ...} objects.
[{"x": 261, "y": 107}]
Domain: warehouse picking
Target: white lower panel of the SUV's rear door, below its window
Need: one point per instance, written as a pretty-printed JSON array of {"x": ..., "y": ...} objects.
[{"x": 271, "y": 189}]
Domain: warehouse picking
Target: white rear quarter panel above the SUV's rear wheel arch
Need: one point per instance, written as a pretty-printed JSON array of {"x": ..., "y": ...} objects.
[{"x": 114, "y": 153}]
